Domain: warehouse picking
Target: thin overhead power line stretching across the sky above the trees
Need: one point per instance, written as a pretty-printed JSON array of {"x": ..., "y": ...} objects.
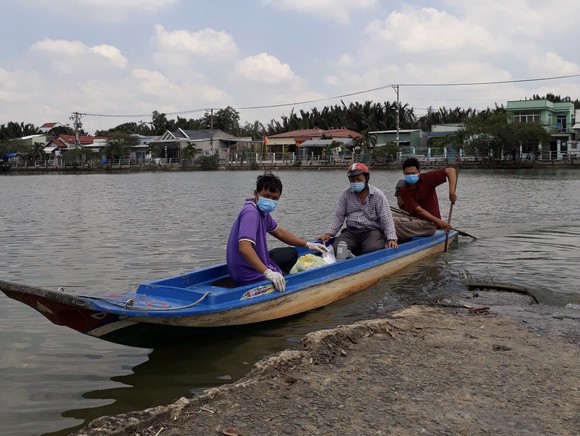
[{"x": 366, "y": 91}]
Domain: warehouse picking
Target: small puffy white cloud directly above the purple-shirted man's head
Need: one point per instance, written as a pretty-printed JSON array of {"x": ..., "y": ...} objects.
[{"x": 264, "y": 68}]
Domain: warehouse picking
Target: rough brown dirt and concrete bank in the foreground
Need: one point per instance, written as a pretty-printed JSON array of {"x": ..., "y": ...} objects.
[{"x": 509, "y": 369}]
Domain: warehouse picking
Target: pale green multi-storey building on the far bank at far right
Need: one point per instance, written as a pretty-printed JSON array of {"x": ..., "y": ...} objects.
[{"x": 557, "y": 119}]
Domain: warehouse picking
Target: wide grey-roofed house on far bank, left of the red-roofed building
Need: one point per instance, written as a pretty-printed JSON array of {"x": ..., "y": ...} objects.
[{"x": 207, "y": 142}]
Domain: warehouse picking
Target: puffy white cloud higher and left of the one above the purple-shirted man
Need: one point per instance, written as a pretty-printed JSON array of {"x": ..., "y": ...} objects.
[{"x": 207, "y": 43}]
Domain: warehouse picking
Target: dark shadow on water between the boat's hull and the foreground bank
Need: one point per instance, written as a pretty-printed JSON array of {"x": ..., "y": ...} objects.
[{"x": 185, "y": 366}]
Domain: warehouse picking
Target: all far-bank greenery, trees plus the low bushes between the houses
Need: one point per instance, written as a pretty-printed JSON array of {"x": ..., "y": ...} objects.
[{"x": 486, "y": 132}]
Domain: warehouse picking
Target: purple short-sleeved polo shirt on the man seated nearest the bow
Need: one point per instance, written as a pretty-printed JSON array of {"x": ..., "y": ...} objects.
[{"x": 250, "y": 225}]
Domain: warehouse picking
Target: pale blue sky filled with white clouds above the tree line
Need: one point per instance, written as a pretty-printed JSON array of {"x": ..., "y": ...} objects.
[{"x": 117, "y": 61}]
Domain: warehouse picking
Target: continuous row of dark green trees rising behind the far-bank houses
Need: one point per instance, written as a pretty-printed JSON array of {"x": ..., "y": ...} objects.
[{"x": 480, "y": 125}]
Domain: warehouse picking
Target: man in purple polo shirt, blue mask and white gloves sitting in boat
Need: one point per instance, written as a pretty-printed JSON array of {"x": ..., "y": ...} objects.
[{"x": 247, "y": 254}]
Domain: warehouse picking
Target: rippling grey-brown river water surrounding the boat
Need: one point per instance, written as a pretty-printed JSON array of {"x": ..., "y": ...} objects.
[{"x": 99, "y": 233}]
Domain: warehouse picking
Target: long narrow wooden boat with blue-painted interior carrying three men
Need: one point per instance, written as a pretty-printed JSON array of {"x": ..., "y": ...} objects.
[{"x": 205, "y": 301}]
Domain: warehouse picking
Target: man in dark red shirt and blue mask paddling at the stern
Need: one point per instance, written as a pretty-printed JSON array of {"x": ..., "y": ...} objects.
[{"x": 418, "y": 198}]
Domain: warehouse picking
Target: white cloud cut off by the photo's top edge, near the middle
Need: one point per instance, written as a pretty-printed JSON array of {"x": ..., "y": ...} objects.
[{"x": 336, "y": 10}]
